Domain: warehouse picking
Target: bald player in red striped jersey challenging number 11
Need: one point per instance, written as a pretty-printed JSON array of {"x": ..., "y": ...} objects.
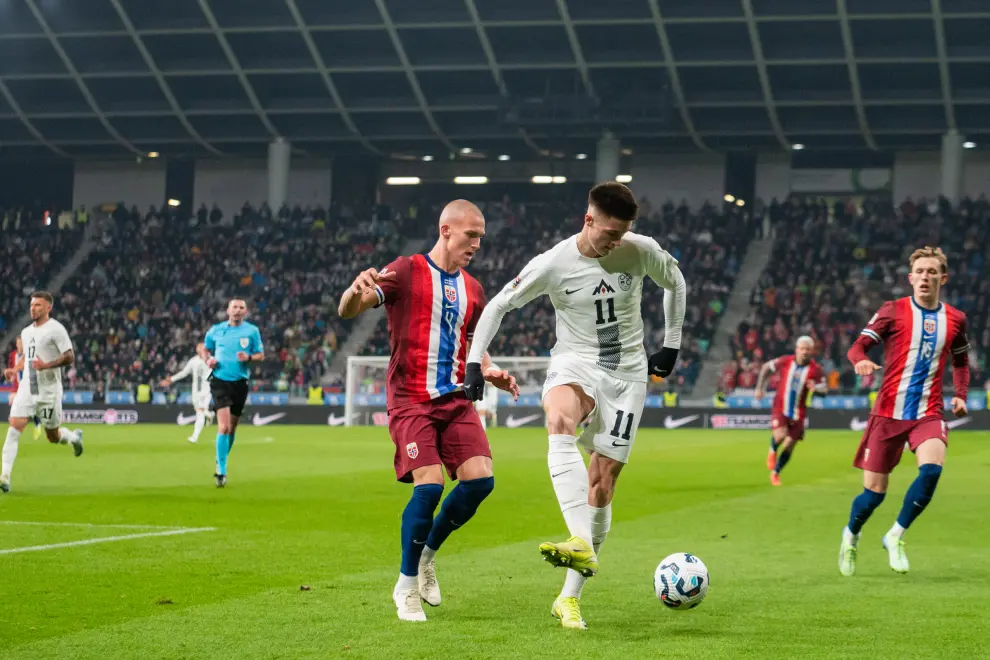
[{"x": 432, "y": 306}]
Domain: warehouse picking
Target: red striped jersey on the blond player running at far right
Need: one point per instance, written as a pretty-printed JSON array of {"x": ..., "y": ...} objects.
[{"x": 917, "y": 347}]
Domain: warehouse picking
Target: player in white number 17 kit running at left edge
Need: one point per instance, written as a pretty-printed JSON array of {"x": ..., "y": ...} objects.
[{"x": 47, "y": 348}]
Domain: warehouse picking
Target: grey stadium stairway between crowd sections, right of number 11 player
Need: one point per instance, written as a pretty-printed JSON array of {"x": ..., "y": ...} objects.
[{"x": 738, "y": 307}]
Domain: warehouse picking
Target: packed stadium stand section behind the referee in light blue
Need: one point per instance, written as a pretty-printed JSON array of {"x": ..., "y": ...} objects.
[{"x": 158, "y": 280}]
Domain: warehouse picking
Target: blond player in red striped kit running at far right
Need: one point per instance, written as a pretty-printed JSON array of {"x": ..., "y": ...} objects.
[{"x": 921, "y": 335}]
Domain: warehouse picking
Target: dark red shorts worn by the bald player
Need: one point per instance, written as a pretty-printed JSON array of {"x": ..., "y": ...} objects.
[{"x": 446, "y": 431}]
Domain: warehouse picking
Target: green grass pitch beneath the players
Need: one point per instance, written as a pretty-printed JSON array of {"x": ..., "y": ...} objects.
[{"x": 320, "y": 507}]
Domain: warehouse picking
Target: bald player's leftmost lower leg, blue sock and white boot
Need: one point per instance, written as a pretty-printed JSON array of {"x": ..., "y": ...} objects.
[{"x": 417, "y": 521}]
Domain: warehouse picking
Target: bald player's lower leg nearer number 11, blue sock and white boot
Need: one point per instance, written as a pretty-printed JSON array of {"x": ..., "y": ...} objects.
[{"x": 476, "y": 481}]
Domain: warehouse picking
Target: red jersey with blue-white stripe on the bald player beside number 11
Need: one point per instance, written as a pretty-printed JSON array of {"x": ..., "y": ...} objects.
[{"x": 431, "y": 319}]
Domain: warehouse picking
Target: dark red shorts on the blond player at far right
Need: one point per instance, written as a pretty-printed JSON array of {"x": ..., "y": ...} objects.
[{"x": 883, "y": 440}]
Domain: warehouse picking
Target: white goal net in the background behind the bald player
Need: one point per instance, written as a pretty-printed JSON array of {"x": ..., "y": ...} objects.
[{"x": 364, "y": 387}]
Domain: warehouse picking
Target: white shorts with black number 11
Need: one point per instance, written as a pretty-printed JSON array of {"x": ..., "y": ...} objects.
[{"x": 612, "y": 425}]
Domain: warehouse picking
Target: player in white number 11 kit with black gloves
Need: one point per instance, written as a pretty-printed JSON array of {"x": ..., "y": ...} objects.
[{"x": 598, "y": 368}]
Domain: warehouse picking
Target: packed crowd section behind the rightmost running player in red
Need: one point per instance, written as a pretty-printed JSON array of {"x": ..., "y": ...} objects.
[{"x": 833, "y": 264}]
